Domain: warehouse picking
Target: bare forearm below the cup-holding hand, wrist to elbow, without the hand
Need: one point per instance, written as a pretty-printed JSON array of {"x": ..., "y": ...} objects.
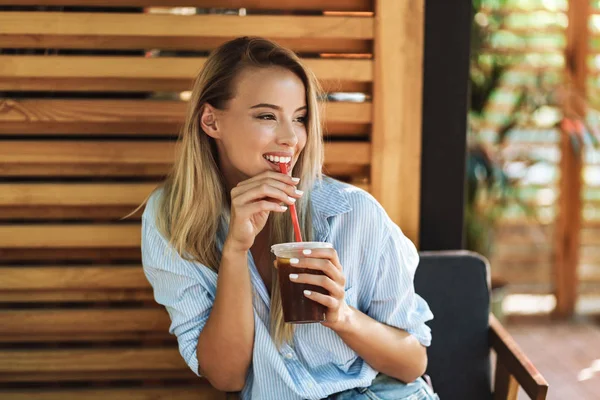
[{"x": 389, "y": 350}]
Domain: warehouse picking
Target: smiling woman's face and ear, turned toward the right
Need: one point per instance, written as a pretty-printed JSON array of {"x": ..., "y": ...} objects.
[{"x": 263, "y": 124}]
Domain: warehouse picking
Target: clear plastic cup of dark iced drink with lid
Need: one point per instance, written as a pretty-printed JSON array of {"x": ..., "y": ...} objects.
[{"x": 297, "y": 308}]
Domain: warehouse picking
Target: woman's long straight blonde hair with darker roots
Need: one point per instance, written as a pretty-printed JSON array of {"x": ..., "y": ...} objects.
[{"x": 194, "y": 202}]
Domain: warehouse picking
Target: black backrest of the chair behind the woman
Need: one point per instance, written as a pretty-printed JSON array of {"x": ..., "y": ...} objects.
[{"x": 456, "y": 286}]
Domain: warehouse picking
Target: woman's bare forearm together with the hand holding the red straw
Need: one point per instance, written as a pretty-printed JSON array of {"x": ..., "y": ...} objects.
[{"x": 225, "y": 345}]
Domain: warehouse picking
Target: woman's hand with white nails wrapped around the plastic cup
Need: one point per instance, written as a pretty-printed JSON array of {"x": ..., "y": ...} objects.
[{"x": 333, "y": 281}]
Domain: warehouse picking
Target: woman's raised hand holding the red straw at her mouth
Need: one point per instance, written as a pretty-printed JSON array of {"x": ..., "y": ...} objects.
[{"x": 251, "y": 203}]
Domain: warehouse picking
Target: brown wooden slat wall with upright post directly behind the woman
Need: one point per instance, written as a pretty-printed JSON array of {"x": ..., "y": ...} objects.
[{"x": 90, "y": 107}]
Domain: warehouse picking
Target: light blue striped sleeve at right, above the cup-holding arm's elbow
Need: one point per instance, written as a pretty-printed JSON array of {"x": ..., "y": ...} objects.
[{"x": 394, "y": 300}]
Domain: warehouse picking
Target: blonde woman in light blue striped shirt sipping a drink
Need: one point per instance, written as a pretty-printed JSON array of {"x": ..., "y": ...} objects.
[{"x": 207, "y": 233}]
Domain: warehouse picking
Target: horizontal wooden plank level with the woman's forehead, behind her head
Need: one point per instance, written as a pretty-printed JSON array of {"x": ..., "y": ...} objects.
[{"x": 83, "y": 73}]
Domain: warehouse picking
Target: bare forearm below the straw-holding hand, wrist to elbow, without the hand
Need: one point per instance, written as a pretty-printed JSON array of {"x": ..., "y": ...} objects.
[{"x": 226, "y": 342}]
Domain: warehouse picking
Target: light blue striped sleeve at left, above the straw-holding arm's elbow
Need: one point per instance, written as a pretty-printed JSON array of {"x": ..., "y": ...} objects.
[{"x": 178, "y": 287}]
